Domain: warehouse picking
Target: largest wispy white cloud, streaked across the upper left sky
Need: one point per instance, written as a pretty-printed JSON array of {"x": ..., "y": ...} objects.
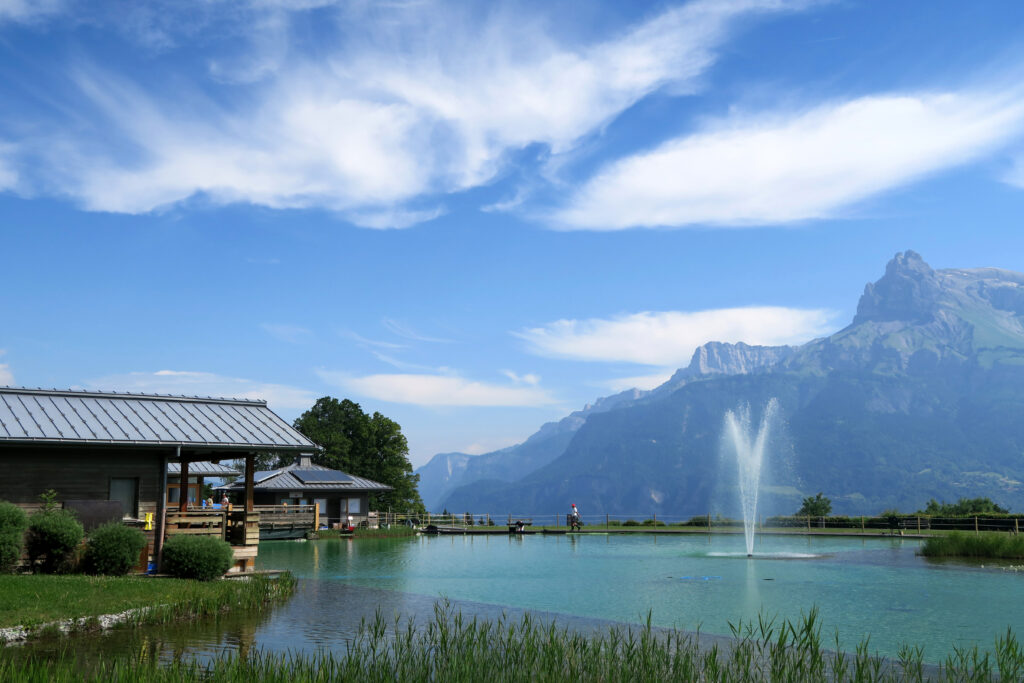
[{"x": 412, "y": 100}]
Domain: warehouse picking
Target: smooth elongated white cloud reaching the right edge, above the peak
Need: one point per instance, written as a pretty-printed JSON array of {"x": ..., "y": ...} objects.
[{"x": 784, "y": 168}]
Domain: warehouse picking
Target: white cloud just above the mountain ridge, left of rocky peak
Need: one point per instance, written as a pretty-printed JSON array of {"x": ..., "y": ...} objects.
[{"x": 669, "y": 338}]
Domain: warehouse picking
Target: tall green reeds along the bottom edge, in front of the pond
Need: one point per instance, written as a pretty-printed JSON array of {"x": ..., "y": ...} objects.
[{"x": 453, "y": 649}]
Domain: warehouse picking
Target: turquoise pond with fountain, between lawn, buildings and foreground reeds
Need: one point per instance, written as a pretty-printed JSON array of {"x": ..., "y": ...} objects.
[{"x": 863, "y": 587}]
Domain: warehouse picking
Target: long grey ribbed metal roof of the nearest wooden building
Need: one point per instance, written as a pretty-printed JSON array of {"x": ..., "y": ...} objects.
[{"x": 52, "y": 416}]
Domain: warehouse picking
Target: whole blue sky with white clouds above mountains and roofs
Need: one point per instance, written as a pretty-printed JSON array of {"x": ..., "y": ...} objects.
[{"x": 477, "y": 219}]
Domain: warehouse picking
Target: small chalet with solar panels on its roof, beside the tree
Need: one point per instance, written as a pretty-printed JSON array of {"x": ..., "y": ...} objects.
[{"x": 337, "y": 496}]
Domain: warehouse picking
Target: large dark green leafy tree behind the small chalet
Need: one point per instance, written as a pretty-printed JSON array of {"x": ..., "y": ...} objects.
[{"x": 367, "y": 446}]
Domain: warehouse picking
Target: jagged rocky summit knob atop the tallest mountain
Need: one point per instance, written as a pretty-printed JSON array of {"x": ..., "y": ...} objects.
[{"x": 910, "y": 291}]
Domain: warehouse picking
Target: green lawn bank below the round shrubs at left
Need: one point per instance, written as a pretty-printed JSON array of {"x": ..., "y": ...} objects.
[{"x": 37, "y": 600}]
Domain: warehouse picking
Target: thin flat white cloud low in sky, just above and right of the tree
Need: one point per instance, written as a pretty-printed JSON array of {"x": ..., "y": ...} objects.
[{"x": 438, "y": 391}]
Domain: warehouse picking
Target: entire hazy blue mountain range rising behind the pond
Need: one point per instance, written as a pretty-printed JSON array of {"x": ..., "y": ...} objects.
[{"x": 921, "y": 397}]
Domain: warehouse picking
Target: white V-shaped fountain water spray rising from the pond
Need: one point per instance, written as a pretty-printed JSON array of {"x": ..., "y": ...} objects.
[{"x": 750, "y": 451}]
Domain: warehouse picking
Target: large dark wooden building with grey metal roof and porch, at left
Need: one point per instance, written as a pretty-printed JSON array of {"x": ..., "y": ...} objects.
[{"x": 93, "y": 448}]
